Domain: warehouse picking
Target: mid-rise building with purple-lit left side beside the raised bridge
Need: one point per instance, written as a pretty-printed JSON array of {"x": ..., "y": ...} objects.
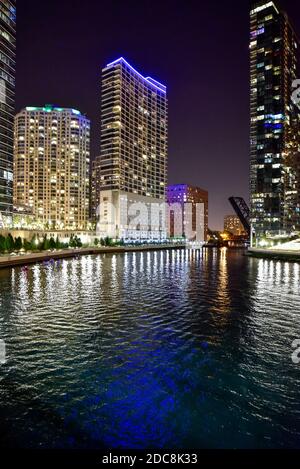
[{"x": 183, "y": 194}]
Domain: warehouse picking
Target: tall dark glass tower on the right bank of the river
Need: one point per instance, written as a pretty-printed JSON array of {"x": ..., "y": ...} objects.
[{"x": 274, "y": 121}]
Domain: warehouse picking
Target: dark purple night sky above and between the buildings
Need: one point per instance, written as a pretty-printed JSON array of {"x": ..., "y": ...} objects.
[{"x": 198, "y": 49}]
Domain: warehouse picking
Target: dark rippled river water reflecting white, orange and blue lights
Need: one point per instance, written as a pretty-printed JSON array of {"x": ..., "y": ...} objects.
[{"x": 177, "y": 349}]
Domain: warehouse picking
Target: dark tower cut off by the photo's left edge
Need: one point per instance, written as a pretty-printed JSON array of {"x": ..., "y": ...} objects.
[{"x": 7, "y": 104}]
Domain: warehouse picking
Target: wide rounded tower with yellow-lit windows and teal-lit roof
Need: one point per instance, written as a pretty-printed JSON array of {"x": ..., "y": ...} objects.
[{"x": 51, "y": 166}]
